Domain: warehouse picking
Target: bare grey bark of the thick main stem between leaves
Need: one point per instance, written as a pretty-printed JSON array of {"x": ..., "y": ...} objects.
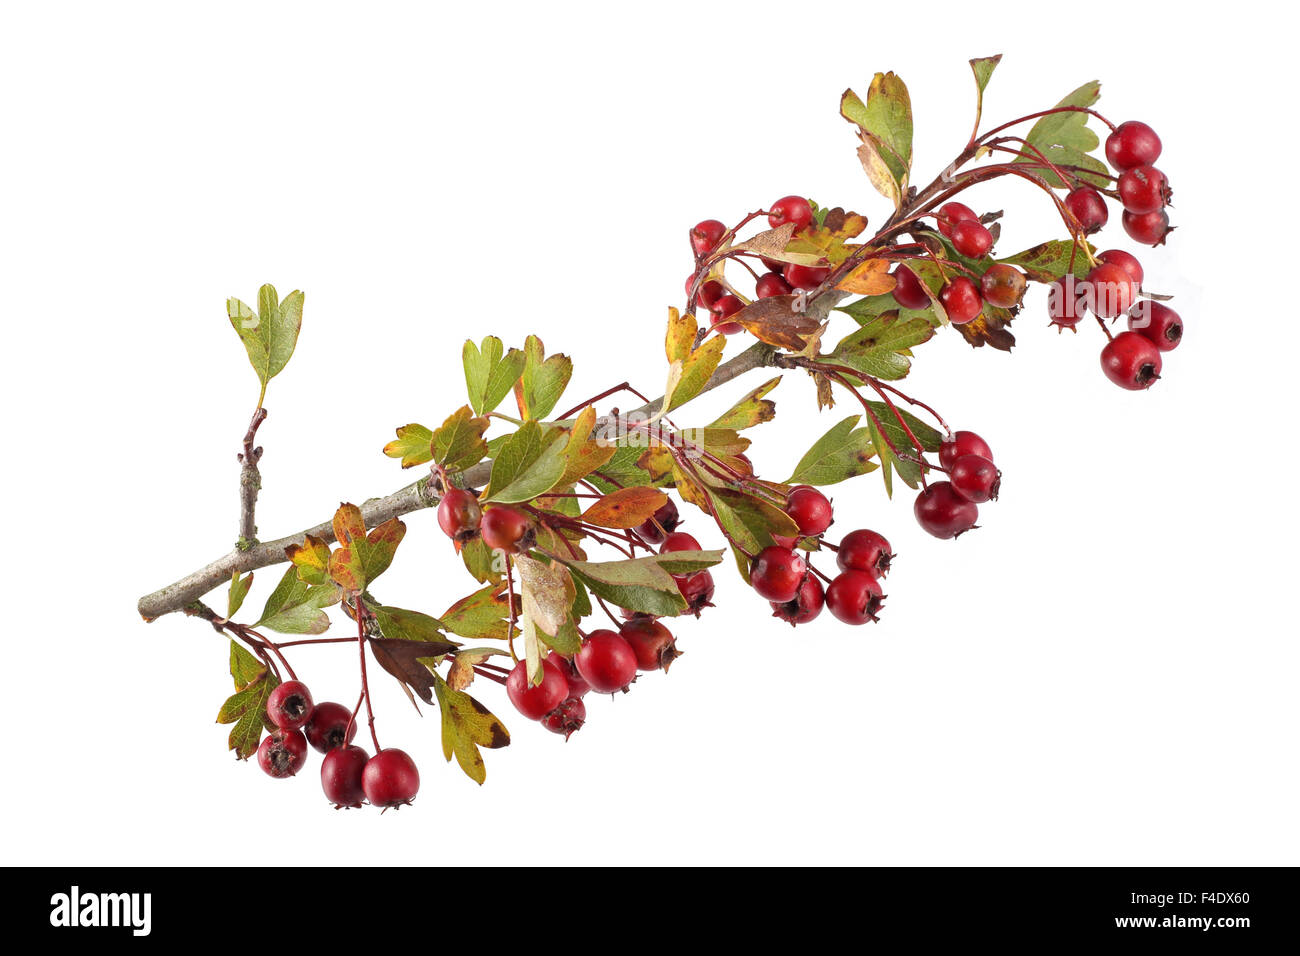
[{"x": 417, "y": 496}]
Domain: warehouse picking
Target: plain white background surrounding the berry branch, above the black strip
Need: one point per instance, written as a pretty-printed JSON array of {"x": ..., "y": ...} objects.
[{"x": 1103, "y": 674}]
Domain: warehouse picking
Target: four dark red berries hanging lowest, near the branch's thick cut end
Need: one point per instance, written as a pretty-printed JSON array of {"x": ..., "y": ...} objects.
[{"x": 349, "y": 776}]
